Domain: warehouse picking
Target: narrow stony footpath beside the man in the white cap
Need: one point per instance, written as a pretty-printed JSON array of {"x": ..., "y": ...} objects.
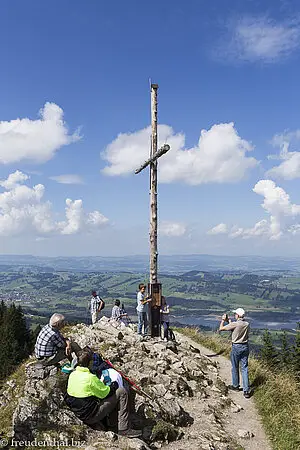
[{"x": 247, "y": 419}]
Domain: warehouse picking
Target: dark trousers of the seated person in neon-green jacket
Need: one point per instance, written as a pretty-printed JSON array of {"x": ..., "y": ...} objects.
[{"x": 119, "y": 401}]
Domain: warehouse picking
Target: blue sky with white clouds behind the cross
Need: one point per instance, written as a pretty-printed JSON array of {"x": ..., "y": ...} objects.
[{"x": 75, "y": 107}]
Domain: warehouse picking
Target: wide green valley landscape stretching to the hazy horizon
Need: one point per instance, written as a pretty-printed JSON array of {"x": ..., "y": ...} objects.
[{"x": 199, "y": 288}]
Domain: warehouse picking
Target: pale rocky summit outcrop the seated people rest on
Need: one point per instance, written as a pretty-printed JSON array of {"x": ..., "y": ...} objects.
[{"x": 185, "y": 407}]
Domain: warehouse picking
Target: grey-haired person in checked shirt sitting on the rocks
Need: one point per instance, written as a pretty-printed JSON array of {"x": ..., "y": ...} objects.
[{"x": 51, "y": 346}]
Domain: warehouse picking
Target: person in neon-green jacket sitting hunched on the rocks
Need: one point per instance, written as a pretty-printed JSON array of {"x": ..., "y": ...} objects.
[{"x": 92, "y": 401}]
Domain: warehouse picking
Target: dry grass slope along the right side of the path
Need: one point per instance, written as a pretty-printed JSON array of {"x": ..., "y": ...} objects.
[{"x": 277, "y": 394}]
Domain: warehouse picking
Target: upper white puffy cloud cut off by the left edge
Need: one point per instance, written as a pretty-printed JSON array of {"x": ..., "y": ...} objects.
[{"x": 34, "y": 140}]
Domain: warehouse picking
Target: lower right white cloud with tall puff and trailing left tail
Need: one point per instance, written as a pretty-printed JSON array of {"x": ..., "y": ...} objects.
[{"x": 283, "y": 215}]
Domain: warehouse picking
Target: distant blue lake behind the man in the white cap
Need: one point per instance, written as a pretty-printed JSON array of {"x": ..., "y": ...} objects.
[{"x": 213, "y": 322}]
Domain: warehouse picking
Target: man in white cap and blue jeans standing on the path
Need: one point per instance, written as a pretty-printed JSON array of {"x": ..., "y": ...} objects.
[{"x": 240, "y": 349}]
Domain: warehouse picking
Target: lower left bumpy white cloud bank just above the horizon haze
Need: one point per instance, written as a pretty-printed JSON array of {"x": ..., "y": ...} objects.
[{"x": 23, "y": 210}]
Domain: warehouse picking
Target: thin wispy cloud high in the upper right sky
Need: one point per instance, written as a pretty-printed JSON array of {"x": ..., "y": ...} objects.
[{"x": 260, "y": 39}]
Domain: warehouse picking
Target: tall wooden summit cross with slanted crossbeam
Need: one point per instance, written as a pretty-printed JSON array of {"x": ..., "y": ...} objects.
[{"x": 154, "y": 287}]
